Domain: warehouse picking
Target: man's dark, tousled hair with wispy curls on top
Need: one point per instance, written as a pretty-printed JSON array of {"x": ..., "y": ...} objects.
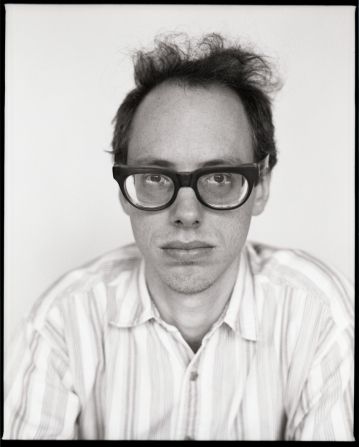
[{"x": 207, "y": 62}]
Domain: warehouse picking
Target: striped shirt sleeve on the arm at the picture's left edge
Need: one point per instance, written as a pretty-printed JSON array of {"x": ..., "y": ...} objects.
[{"x": 39, "y": 400}]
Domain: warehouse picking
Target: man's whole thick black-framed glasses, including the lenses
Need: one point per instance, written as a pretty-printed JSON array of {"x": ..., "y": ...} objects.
[{"x": 152, "y": 188}]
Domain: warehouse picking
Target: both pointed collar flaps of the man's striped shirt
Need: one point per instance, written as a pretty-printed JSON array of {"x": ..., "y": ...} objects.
[{"x": 129, "y": 302}]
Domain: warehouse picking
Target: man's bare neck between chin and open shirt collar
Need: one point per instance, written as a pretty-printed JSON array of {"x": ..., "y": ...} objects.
[{"x": 192, "y": 314}]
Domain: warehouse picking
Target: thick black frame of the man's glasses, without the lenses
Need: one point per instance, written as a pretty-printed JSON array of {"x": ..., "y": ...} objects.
[{"x": 251, "y": 171}]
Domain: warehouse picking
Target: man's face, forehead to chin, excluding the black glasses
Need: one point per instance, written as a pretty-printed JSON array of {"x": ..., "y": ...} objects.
[{"x": 187, "y": 128}]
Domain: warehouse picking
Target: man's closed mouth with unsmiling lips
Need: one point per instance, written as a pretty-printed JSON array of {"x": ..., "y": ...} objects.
[{"x": 187, "y": 252}]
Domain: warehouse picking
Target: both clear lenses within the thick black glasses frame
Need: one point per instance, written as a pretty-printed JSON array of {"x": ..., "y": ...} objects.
[{"x": 217, "y": 189}]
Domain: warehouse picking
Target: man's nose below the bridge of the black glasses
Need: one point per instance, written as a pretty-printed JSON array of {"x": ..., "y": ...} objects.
[{"x": 186, "y": 210}]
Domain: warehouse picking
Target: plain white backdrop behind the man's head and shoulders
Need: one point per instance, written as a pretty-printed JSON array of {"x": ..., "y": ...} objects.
[{"x": 67, "y": 70}]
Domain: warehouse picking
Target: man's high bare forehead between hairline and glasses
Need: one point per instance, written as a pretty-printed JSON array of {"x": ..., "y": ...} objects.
[{"x": 189, "y": 126}]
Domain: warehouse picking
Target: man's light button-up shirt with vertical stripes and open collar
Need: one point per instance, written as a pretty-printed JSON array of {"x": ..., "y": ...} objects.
[{"x": 96, "y": 361}]
